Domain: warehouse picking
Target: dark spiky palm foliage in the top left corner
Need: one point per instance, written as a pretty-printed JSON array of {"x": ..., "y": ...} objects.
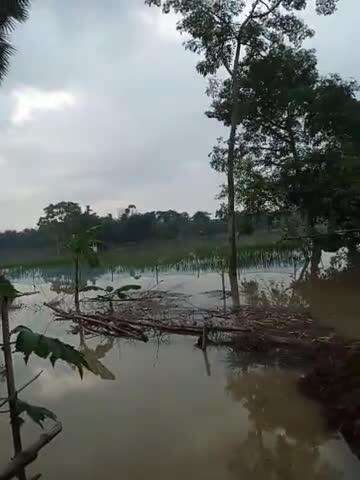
[{"x": 11, "y": 12}]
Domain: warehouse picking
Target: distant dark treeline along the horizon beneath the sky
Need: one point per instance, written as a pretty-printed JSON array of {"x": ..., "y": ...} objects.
[{"x": 63, "y": 219}]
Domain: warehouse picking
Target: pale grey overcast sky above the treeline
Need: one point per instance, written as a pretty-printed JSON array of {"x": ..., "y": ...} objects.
[{"x": 102, "y": 106}]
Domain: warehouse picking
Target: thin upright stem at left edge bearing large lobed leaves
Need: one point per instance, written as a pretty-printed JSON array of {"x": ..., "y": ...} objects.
[{"x": 12, "y": 395}]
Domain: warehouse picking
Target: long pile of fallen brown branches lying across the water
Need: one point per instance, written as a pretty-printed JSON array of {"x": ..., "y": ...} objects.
[{"x": 256, "y": 329}]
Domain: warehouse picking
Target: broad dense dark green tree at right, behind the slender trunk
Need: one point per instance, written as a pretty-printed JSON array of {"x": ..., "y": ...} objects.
[{"x": 300, "y": 143}]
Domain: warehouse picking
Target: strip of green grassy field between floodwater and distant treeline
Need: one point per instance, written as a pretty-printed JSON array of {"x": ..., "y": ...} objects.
[{"x": 203, "y": 254}]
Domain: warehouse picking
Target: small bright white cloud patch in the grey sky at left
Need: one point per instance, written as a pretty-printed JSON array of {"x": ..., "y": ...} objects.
[{"x": 29, "y": 100}]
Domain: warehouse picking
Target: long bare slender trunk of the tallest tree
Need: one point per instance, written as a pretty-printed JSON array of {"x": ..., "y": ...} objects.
[{"x": 231, "y": 183}]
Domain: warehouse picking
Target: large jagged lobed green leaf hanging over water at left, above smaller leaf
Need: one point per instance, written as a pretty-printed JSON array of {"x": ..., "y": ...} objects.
[{"x": 29, "y": 342}]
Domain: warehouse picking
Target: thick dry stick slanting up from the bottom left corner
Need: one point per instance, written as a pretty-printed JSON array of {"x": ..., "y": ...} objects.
[{"x": 29, "y": 454}]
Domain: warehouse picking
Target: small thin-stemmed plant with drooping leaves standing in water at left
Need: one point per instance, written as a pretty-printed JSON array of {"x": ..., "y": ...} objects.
[{"x": 81, "y": 248}]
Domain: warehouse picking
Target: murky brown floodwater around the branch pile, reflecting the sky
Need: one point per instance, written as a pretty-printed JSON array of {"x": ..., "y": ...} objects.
[{"x": 166, "y": 412}]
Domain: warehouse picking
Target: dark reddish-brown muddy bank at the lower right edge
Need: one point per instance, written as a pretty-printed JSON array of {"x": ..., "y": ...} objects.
[{"x": 335, "y": 383}]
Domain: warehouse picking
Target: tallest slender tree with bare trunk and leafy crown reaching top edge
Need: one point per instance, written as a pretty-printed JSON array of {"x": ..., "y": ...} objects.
[{"x": 230, "y": 34}]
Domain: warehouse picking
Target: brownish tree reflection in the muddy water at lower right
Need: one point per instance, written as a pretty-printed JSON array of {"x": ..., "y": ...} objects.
[{"x": 281, "y": 443}]
